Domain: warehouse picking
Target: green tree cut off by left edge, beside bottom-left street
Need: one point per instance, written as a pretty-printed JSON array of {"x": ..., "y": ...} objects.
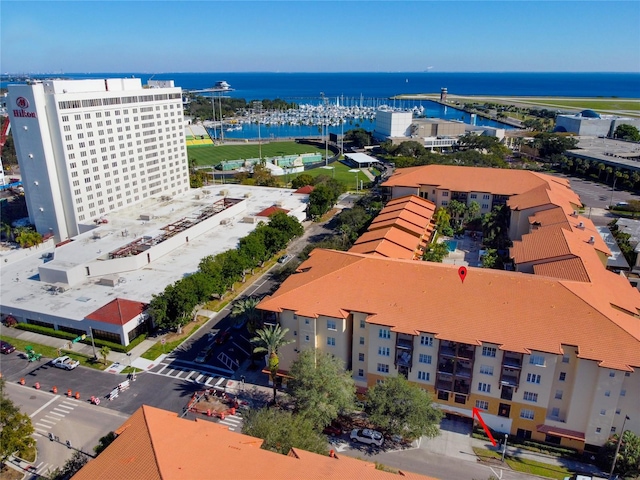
[{"x": 16, "y": 429}]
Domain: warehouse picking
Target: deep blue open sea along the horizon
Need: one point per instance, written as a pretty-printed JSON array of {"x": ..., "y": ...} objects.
[{"x": 356, "y": 87}]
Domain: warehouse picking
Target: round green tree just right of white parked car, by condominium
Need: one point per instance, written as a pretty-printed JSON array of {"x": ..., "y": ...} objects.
[{"x": 402, "y": 408}]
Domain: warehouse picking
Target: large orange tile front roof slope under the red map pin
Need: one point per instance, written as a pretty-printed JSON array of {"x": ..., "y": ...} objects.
[{"x": 425, "y": 297}]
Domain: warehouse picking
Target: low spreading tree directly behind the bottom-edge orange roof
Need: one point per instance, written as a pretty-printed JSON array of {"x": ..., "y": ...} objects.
[{"x": 282, "y": 431}]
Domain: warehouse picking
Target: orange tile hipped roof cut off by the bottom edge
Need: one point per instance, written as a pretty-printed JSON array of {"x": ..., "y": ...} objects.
[{"x": 156, "y": 444}]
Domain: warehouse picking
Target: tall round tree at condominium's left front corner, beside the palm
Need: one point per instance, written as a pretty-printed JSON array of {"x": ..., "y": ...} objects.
[{"x": 321, "y": 388}]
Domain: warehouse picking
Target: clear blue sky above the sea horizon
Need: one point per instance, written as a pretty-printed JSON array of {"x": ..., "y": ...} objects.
[{"x": 319, "y": 36}]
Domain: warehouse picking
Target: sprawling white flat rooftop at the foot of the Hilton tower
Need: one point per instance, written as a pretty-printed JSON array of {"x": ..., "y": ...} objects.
[{"x": 22, "y": 289}]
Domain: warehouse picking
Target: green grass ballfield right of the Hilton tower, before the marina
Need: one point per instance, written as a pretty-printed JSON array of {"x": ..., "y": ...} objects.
[{"x": 212, "y": 155}]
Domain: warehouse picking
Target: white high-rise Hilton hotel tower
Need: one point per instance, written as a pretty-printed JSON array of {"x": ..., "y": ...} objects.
[{"x": 89, "y": 147}]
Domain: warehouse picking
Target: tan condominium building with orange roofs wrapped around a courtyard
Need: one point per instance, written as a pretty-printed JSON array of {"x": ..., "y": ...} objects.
[{"x": 549, "y": 352}]
